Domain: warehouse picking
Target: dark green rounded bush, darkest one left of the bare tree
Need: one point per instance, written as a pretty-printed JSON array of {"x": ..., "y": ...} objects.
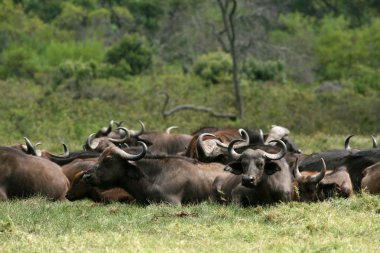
[{"x": 132, "y": 55}]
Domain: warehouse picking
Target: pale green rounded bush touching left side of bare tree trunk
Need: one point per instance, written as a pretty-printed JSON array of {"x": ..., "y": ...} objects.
[{"x": 214, "y": 67}]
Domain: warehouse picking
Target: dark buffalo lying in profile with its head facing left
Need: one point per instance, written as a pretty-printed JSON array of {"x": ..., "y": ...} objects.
[{"x": 169, "y": 179}]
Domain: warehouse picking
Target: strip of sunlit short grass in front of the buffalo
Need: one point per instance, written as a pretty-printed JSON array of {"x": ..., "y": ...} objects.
[{"x": 36, "y": 225}]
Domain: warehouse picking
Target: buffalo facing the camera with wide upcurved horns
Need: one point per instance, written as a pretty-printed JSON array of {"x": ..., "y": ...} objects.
[{"x": 260, "y": 178}]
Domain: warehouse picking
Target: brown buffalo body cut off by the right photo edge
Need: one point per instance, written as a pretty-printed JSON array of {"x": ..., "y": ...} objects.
[{"x": 371, "y": 179}]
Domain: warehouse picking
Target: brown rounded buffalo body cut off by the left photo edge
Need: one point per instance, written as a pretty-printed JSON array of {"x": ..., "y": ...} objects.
[{"x": 23, "y": 175}]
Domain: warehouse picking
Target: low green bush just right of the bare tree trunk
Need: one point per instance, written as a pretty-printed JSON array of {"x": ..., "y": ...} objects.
[{"x": 256, "y": 70}]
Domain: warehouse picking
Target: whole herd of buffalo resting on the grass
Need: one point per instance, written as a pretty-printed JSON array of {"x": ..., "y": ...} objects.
[{"x": 222, "y": 165}]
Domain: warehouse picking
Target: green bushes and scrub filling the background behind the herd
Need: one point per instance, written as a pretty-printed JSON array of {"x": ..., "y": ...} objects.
[{"x": 310, "y": 67}]
